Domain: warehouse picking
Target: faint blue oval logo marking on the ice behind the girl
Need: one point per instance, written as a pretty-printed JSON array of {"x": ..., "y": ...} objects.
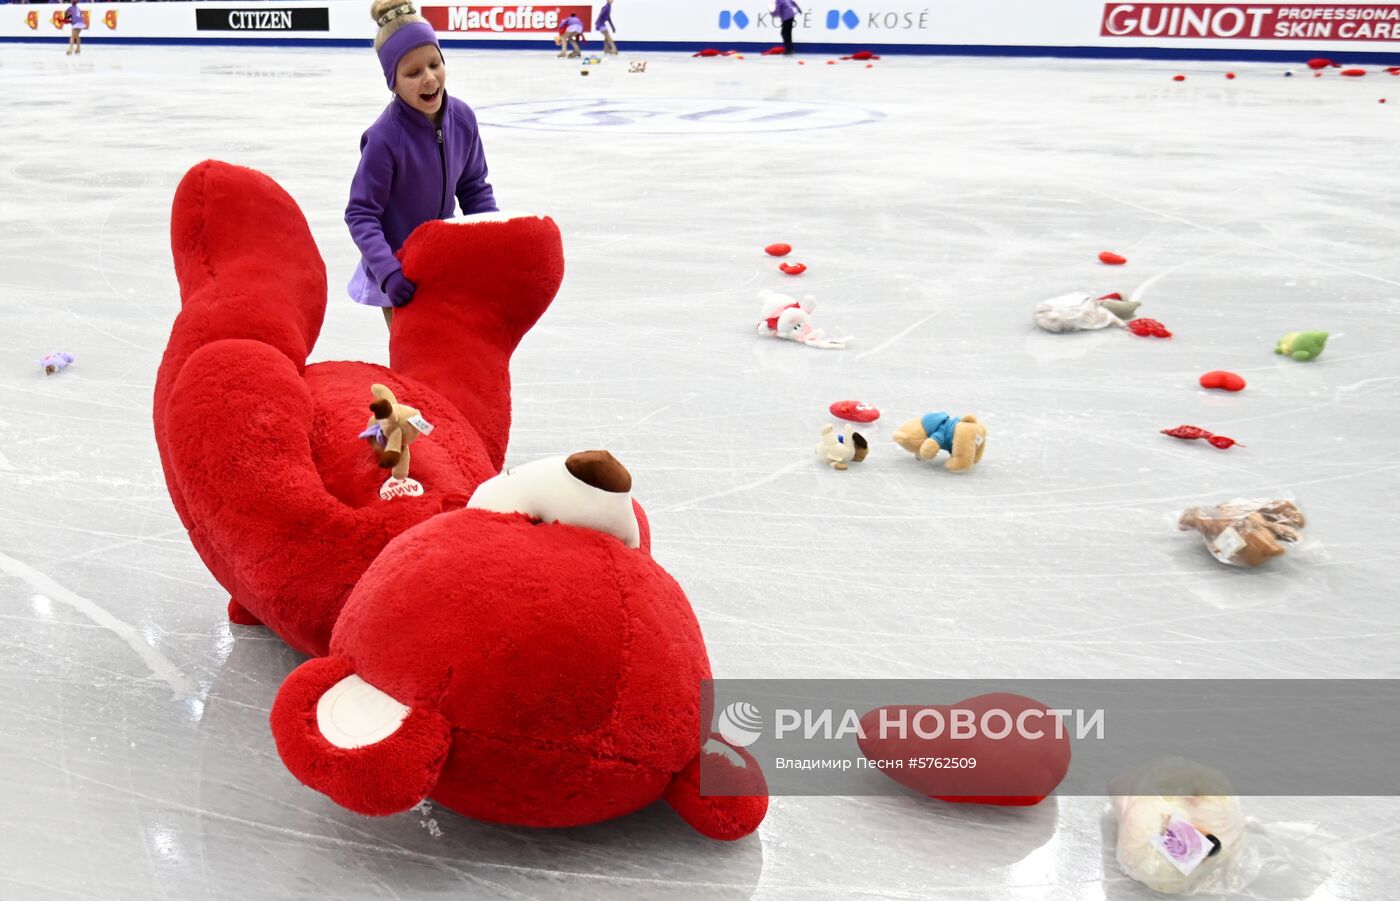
[{"x": 675, "y": 117}]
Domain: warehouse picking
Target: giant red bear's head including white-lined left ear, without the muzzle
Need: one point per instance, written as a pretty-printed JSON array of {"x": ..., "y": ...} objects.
[{"x": 526, "y": 672}]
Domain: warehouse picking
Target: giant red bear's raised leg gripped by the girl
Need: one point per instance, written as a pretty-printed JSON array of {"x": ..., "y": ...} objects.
[{"x": 481, "y": 289}]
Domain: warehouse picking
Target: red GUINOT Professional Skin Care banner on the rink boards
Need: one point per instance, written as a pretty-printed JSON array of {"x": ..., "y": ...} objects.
[{"x": 1251, "y": 23}]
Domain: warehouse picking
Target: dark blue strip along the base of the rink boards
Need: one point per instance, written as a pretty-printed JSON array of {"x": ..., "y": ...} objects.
[{"x": 804, "y": 48}]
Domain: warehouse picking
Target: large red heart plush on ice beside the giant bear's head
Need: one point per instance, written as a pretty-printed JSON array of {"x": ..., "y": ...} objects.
[{"x": 1014, "y": 772}]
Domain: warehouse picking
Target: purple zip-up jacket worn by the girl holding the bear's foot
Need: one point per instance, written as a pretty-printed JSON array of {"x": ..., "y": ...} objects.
[{"x": 409, "y": 174}]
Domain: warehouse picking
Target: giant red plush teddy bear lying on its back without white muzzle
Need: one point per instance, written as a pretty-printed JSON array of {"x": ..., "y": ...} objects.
[{"x": 521, "y": 672}]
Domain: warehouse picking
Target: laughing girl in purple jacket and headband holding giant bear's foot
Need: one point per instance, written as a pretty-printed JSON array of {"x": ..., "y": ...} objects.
[{"x": 422, "y": 152}]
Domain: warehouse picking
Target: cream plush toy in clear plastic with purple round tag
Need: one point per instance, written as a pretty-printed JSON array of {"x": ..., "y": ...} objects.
[{"x": 1181, "y": 828}]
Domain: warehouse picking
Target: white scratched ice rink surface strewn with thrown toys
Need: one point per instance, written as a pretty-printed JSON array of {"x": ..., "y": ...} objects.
[{"x": 936, "y": 202}]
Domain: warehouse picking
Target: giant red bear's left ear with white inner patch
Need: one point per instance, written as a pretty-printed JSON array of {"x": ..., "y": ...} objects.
[{"x": 352, "y": 742}]
